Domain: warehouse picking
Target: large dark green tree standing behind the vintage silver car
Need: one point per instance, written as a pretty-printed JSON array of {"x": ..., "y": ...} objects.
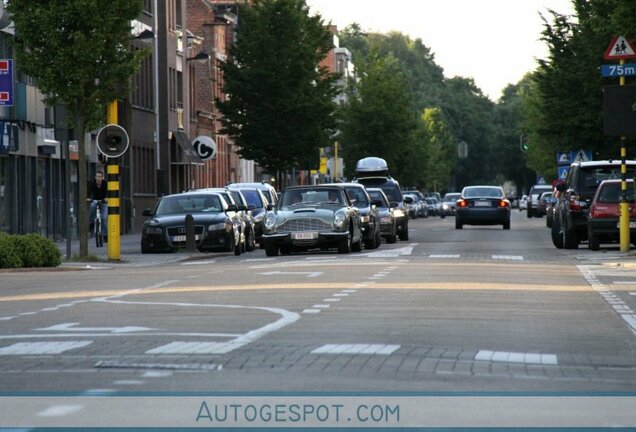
[{"x": 280, "y": 109}]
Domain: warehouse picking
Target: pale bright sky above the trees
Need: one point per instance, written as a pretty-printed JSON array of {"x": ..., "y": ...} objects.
[{"x": 493, "y": 41}]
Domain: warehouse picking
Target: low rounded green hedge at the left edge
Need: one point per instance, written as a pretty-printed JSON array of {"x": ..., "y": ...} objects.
[{"x": 29, "y": 250}]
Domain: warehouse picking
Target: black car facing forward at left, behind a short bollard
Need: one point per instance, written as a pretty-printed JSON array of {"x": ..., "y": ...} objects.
[{"x": 215, "y": 228}]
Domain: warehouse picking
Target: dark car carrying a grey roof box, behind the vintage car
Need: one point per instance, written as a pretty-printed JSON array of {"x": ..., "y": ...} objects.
[{"x": 374, "y": 172}]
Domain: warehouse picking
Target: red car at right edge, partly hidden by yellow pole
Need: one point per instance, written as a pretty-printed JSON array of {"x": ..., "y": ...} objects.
[{"x": 603, "y": 218}]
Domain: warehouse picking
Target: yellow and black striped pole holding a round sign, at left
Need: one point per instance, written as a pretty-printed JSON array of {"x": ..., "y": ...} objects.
[{"x": 112, "y": 177}]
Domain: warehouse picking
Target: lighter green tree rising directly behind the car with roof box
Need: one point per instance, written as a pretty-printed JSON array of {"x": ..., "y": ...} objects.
[{"x": 380, "y": 120}]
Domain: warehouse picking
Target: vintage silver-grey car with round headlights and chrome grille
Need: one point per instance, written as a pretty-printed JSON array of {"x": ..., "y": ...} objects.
[{"x": 309, "y": 217}]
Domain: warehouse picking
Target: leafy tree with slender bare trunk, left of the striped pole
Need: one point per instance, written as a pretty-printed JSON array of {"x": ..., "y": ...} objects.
[{"x": 78, "y": 51}]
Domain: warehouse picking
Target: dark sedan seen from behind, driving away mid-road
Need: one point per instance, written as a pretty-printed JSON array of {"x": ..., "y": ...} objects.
[{"x": 482, "y": 205}]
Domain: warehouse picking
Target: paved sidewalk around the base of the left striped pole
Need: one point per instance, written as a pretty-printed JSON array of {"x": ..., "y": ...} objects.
[{"x": 130, "y": 254}]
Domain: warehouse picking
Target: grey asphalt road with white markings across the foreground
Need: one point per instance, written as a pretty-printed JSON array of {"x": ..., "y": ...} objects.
[{"x": 479, "y": 309}]
